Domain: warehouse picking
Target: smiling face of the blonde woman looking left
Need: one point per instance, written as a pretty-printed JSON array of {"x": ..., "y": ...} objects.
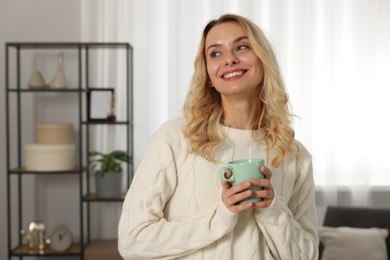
[{"x": 232, "y": 65}]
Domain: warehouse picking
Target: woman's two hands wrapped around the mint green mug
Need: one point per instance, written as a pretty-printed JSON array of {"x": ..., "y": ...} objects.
[{"x": 233, "y": 194}]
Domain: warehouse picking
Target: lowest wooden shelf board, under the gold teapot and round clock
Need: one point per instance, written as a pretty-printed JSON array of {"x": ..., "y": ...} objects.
[{"x": 24, "y": 250}]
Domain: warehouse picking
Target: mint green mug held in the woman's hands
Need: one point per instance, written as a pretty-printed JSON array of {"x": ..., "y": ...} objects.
[{"x": 243, "y": 170}]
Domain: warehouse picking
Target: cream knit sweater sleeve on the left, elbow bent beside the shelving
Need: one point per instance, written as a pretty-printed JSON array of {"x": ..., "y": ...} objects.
[{"x": 144, "y": 231}]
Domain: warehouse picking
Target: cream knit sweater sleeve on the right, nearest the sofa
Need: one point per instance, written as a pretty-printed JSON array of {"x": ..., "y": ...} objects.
[{"x": 290, "y": 227}]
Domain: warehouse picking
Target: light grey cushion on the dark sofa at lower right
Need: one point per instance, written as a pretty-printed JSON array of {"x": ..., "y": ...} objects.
[{"x": 353, "y": 243}]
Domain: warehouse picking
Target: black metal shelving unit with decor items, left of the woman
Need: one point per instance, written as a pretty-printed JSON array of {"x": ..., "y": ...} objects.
[{"x": 15, "y": 169}]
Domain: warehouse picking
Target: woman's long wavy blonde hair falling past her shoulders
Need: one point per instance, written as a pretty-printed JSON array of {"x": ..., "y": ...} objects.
[{"x": 203, "y": 110}]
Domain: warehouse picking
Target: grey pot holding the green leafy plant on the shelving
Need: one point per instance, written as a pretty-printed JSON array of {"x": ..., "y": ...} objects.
[{"x": 108, "y": 185}]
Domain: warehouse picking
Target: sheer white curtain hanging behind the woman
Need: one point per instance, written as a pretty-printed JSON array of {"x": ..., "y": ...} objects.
[{"x": 334, "y": 56}]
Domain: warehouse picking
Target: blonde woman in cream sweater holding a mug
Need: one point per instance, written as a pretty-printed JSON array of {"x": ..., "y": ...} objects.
[{"x": 237, "y": 107}]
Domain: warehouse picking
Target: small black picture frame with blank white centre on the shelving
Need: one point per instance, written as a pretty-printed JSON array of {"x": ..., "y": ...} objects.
[{"x": 100, "y": 104}]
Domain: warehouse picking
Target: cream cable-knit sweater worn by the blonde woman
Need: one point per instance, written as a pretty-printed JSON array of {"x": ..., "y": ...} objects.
[{"x": 174, "y": 210}]
